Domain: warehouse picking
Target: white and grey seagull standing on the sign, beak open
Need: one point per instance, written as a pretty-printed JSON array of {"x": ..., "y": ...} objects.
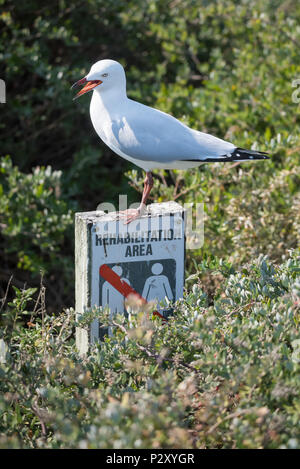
[{"x": 147, "y": 137}]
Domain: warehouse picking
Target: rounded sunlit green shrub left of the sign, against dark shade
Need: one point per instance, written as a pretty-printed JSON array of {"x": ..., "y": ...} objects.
[{"x": 34, "y": 216}]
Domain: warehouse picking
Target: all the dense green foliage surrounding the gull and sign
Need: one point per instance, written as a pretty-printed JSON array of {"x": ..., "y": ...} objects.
[{"x": 224, "y": 372}]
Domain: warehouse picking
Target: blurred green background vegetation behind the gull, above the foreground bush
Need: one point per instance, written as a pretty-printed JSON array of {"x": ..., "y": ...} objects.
[{"x": 222, "y": 67}]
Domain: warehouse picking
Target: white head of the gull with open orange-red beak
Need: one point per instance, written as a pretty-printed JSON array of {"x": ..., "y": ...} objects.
[{"x": 103, "y": 75}]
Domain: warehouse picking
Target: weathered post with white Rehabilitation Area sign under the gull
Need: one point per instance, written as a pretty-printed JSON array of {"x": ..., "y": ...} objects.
[{"x": 113, "y": 259}]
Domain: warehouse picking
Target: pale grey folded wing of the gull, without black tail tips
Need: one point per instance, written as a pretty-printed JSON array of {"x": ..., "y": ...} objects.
[{"x": 147, "y": 134}]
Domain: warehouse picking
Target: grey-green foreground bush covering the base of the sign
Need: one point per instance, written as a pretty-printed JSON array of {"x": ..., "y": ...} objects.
[{"x": 220, "y": 376}]
